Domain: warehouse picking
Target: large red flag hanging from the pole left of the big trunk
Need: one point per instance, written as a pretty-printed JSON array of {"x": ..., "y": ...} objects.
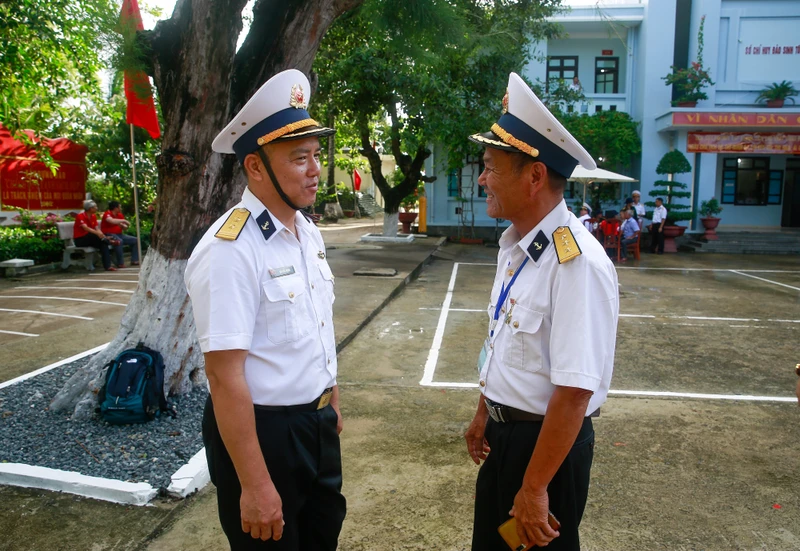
[{"x": 141, "y": 110}]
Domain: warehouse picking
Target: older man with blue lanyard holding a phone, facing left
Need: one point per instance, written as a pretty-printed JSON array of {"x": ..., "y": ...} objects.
[{"x": 545, "y": 366}]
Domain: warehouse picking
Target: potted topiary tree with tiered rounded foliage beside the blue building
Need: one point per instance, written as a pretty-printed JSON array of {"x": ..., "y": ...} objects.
[{"x": 672, "y": 163}]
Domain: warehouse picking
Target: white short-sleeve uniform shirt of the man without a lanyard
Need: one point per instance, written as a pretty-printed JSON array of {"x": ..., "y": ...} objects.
[{"x": 270, "y": 293}]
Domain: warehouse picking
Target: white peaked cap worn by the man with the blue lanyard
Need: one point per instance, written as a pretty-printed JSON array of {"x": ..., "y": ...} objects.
[{"x": 528, "y": 126}]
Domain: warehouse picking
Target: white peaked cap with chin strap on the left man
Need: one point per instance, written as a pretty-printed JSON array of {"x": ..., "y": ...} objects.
[{"x": 276, "y": 112}]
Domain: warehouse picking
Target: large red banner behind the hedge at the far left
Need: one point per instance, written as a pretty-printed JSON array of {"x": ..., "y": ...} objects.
[{"x": 27, "y": 184}]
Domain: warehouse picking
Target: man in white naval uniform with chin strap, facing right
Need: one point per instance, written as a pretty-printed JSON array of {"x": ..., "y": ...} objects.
[{"x": 262, "y": 296}]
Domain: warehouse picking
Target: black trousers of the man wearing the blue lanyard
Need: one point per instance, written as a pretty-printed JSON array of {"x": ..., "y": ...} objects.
[{"x": 500, "y": 478}]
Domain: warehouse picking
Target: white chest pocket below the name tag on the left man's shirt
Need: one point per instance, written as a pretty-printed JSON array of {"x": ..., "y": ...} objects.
[{"x": 286, "y": 309}]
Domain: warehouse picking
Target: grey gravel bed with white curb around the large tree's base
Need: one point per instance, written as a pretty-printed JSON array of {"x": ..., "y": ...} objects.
[{"x": 151, "y": 452}]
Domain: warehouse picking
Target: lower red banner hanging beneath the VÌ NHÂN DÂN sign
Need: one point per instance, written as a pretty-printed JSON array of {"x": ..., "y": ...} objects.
[{"x": 743, "y": 142}]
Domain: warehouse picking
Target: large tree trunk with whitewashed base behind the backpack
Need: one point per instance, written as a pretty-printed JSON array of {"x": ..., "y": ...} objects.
[{"x": 202, "y": 81}]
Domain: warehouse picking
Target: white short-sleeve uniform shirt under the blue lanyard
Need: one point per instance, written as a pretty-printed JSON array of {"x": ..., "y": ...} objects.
[{"x": 558, "y": 324}]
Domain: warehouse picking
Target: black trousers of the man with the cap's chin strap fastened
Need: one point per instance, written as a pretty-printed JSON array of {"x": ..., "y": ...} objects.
[{"x": 303, "y": 457}]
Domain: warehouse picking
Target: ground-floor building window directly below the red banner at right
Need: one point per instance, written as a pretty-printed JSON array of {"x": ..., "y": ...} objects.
[{"x": 749, "y": 181}]
